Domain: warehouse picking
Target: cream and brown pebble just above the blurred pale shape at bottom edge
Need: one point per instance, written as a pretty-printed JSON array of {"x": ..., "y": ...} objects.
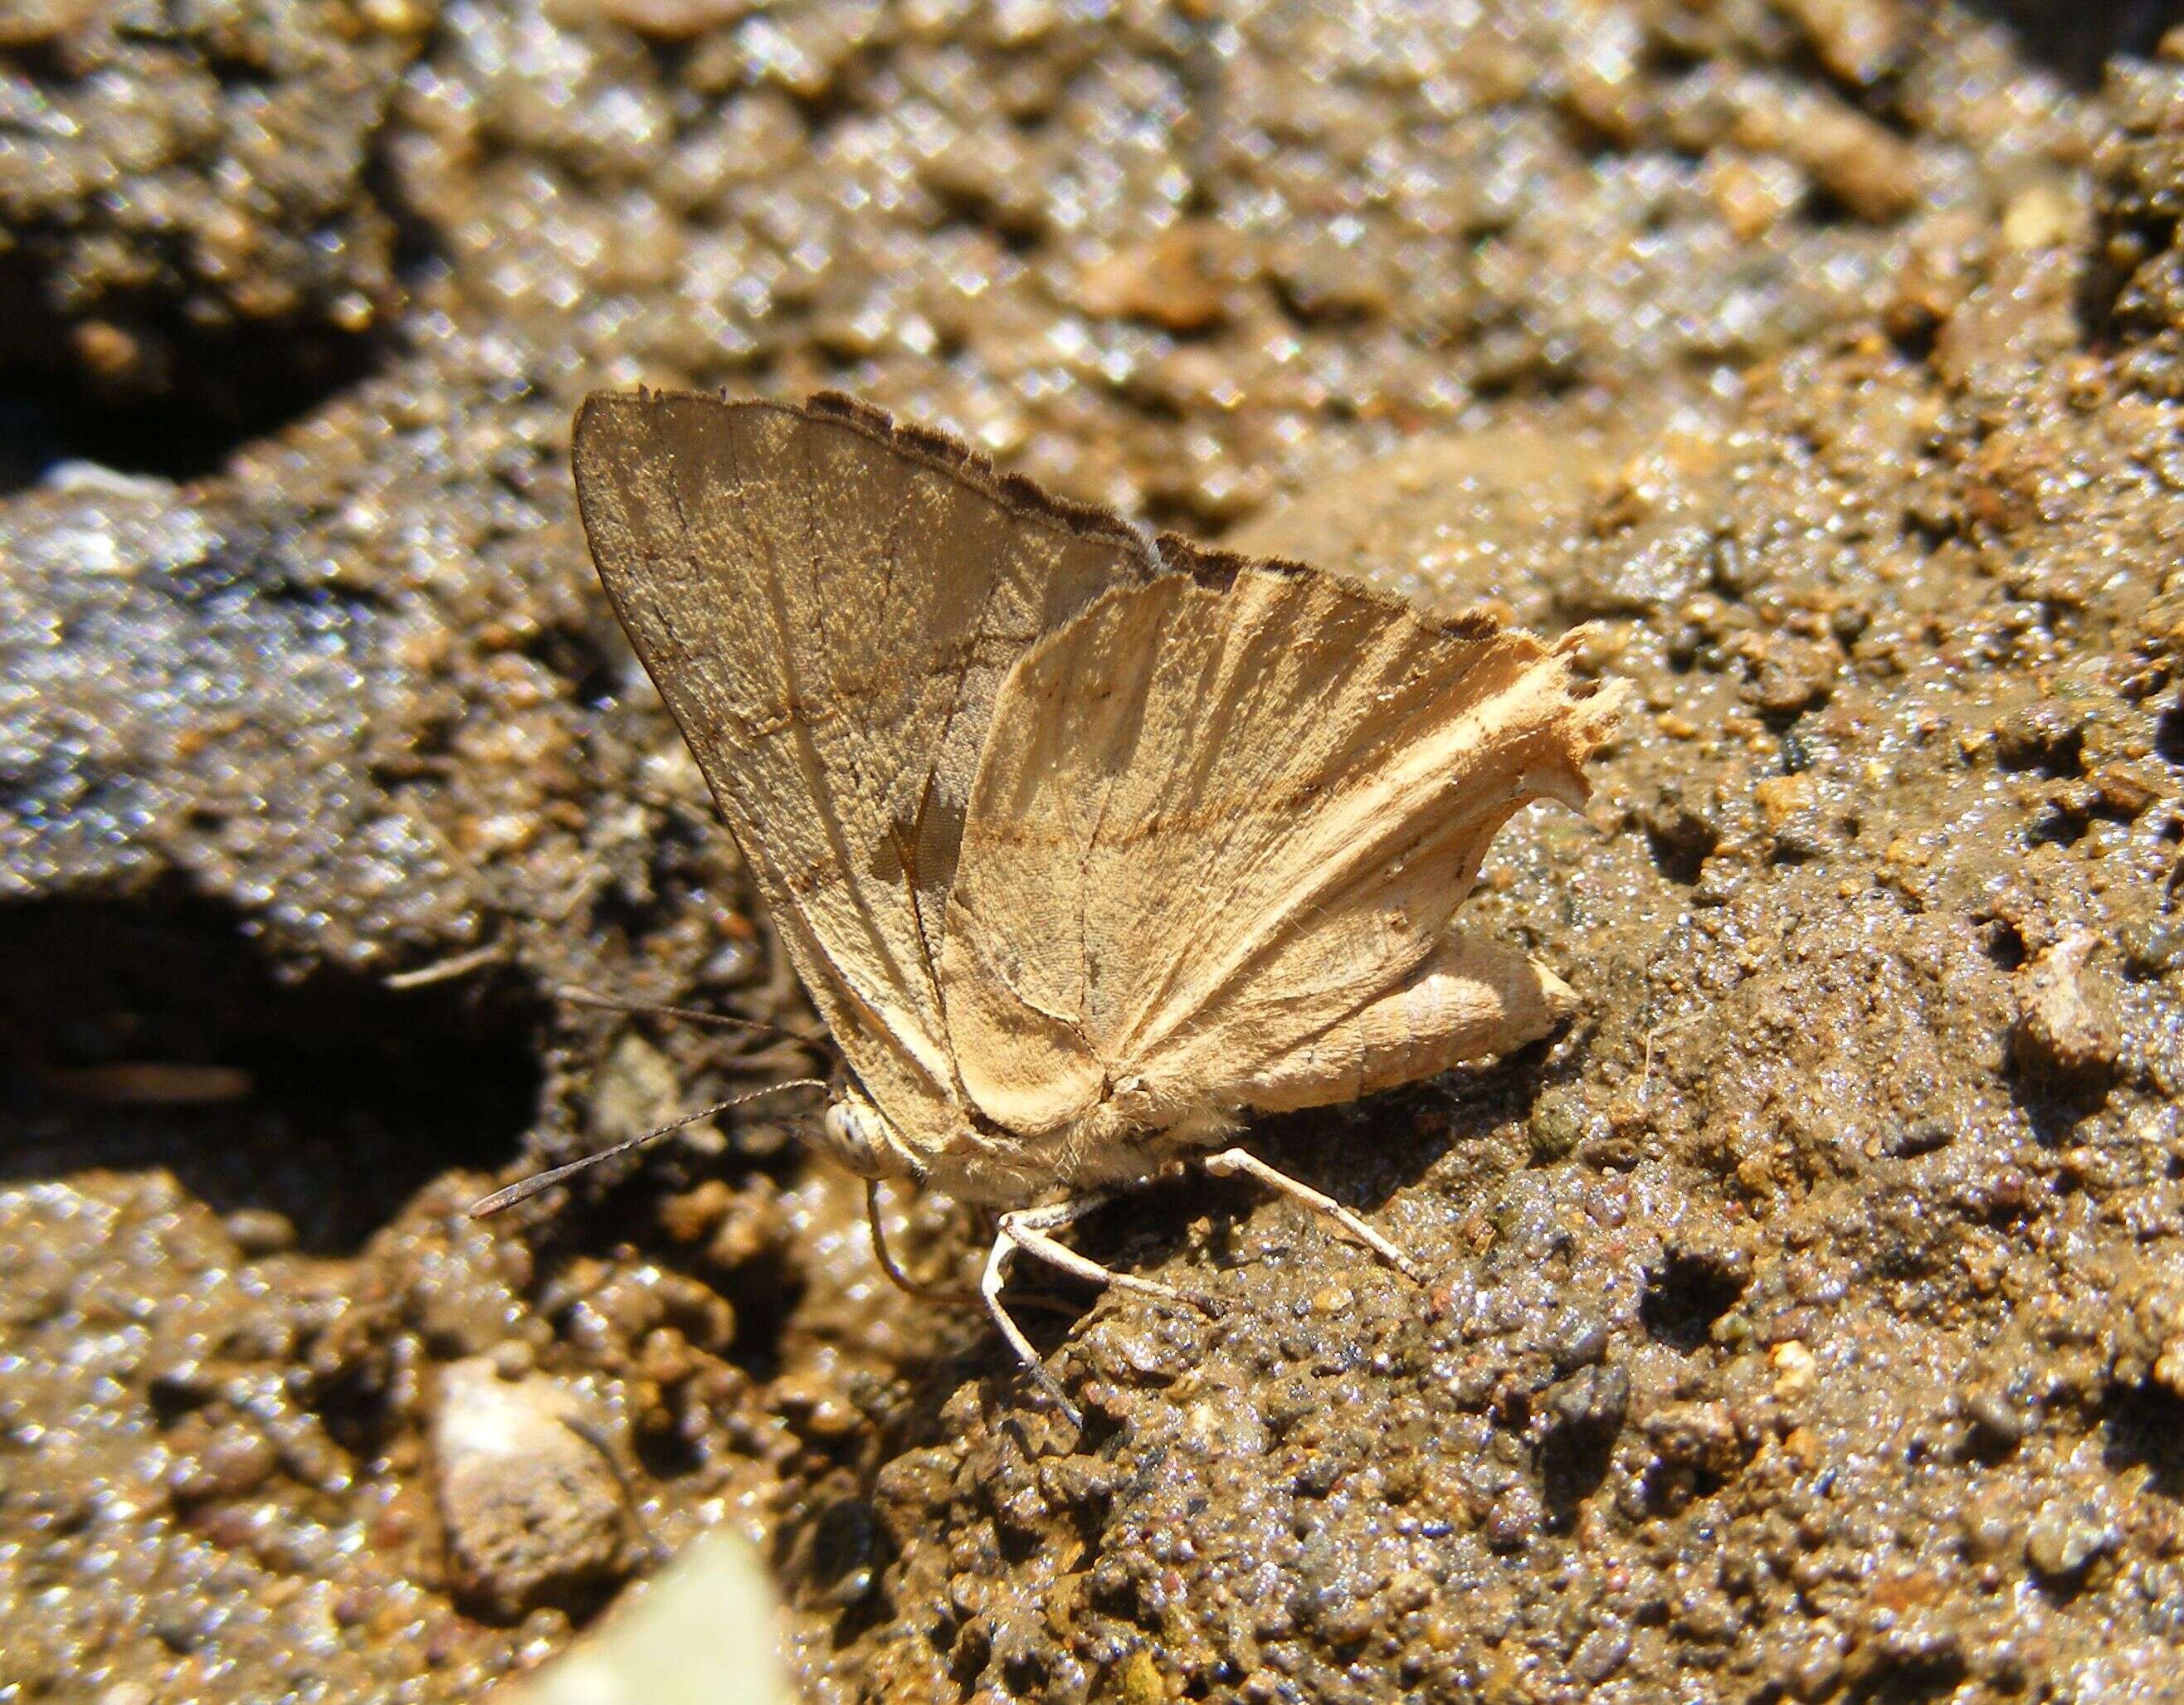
[{"x": 532, "y": 1510}]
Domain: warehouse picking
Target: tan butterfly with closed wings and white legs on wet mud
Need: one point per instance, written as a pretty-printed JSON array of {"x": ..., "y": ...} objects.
[{"x": 1087, "y": 844}]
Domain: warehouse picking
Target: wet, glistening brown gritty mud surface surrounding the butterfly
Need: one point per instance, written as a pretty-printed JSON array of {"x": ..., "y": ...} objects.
[{"x": 1805, "y": 1322}]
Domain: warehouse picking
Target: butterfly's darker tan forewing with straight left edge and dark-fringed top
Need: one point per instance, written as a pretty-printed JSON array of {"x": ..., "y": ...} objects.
[{"x": 829, "y": 606}]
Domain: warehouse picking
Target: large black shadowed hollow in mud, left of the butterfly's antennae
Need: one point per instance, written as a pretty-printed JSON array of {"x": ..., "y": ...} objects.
[{"x": 156, "y": 1034}]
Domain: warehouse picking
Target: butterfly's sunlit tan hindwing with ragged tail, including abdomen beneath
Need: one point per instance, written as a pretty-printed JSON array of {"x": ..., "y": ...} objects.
[{"x": 1222, "y": 824}]
